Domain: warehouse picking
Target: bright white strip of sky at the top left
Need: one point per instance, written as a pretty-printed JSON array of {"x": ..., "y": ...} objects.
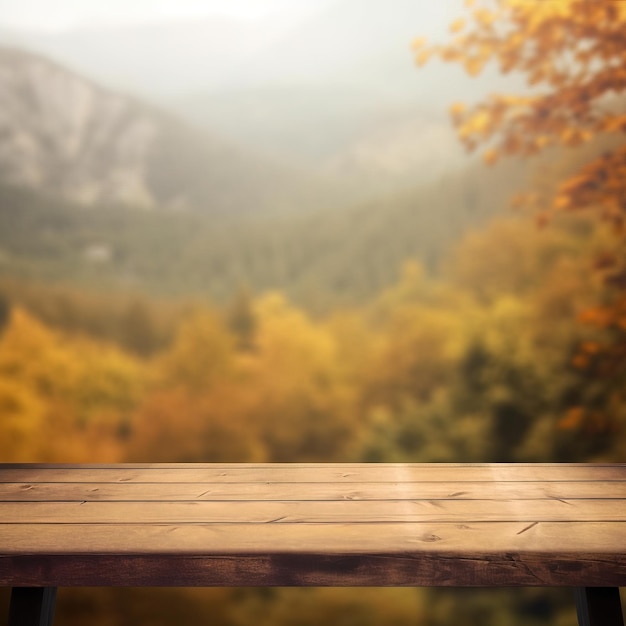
[{"x": 58, "y": 15}]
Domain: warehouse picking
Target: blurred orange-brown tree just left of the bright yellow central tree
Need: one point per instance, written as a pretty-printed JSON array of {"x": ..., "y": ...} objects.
[{"x": 195, "y": 408}]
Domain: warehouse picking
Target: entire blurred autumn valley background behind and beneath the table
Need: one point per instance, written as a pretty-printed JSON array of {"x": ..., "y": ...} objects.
[{"x": 248, "y": 230}]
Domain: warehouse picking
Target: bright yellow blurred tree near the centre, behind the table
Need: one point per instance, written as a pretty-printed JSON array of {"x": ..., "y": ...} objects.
[{"x": 303, "y": 405}]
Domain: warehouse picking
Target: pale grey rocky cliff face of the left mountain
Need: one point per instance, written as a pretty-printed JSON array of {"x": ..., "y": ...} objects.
[{"x": 66, "y": 135}]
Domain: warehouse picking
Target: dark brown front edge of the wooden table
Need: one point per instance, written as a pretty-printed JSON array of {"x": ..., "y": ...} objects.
[{"x": 315, "y": 570}]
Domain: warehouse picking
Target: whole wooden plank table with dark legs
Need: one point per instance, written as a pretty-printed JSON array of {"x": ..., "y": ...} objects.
[{"x": 313, "y": 525}]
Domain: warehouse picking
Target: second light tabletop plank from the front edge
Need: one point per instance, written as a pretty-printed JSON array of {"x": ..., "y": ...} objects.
[{"x": 293, "y": 512}]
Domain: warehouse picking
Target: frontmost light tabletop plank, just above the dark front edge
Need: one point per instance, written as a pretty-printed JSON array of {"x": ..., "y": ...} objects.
[{"x": 548, "y": 538}]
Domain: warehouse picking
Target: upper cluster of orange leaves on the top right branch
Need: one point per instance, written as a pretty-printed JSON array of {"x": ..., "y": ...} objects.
[{"x": 538, "y": 39}]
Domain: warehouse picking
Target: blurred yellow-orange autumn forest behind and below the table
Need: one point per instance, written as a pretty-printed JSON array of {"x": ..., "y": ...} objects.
[{"x": 475, "y": 366}]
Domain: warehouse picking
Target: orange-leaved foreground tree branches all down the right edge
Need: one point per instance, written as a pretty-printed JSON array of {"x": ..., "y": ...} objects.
[{"x": 573, "y": 56}]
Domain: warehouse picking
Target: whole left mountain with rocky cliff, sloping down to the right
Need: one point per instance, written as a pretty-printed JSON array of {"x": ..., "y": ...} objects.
[{"x": 64, "y": 135}]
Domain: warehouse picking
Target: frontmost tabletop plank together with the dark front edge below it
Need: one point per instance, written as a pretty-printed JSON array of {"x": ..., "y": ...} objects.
[{"x": 421, "y": 554}]
